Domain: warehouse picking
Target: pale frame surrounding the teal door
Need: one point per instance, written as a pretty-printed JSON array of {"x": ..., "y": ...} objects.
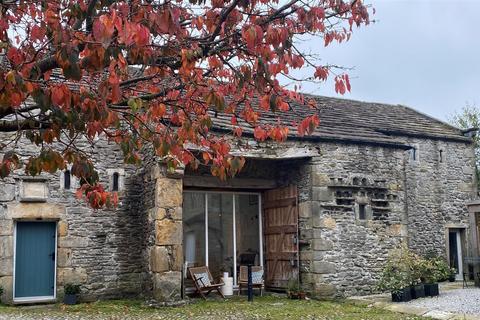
[{"x": 39, "y": 298}]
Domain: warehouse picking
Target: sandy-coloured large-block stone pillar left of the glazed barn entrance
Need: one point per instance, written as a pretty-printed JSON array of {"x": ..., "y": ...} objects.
[{"x": 163, "y": 198}]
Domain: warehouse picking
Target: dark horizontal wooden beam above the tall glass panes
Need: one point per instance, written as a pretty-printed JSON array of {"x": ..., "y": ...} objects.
[{"x": 235, "y": 183}]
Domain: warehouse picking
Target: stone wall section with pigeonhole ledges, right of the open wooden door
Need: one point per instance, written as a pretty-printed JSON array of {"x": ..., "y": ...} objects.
[{"x": 342, "y": 255}]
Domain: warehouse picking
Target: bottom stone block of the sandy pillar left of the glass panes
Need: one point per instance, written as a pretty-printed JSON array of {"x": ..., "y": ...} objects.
[{"x": 166, "y": 286}]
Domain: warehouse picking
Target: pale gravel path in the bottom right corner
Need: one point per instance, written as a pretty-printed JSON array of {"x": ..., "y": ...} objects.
[{"x": 457, "y": 301}]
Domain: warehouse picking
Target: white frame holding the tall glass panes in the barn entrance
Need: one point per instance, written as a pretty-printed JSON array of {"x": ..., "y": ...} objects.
[{"x": 260, "y": 224}]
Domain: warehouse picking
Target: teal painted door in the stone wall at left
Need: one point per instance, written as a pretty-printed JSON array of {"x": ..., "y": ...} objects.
[{"x": 35, "y": 259}]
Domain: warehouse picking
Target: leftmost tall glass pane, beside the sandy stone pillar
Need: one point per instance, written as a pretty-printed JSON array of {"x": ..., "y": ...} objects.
[{"x": 194, "y": 228}]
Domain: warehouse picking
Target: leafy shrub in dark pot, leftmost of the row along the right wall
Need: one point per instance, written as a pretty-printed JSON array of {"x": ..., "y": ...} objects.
[{"x": 397, "y": 275}]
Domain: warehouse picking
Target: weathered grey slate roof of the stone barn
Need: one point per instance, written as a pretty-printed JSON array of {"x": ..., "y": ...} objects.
[{"x": 357, "y": 121}]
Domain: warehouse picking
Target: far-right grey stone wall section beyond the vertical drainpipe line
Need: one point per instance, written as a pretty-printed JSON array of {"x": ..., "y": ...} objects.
[{"x": 440, "y": 182}]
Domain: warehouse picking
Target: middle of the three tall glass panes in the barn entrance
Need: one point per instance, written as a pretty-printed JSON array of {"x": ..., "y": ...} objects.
[{"x": 220, "y": 234}]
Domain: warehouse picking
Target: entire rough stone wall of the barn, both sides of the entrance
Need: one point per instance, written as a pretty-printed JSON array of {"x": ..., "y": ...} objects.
[{"x": 137, "y": 248}]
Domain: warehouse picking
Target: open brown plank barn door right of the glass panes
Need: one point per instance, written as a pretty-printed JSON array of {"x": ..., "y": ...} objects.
[{"x": 280, "y": 221}]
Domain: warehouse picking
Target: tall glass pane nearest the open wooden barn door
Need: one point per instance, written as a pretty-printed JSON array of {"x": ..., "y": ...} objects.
[{"x": 247, "y": 224}]
